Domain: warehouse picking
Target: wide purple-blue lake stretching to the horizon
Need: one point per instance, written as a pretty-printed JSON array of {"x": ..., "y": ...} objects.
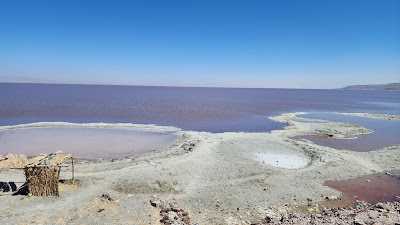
[{"x": 202, "y": 109}]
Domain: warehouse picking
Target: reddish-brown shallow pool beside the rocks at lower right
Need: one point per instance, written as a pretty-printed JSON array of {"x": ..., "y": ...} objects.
[{"x": 373, "y": 188}]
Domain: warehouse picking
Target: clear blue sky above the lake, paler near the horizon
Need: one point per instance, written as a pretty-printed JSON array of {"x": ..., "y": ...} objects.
[{"x": 293, "y": 44}]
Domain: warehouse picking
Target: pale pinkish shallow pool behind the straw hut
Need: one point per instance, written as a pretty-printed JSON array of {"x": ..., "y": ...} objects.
[{"x": 90, "y": 143}]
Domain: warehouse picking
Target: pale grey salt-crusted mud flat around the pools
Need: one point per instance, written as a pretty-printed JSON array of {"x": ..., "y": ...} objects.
[{"x": 215, "y": 178}]
